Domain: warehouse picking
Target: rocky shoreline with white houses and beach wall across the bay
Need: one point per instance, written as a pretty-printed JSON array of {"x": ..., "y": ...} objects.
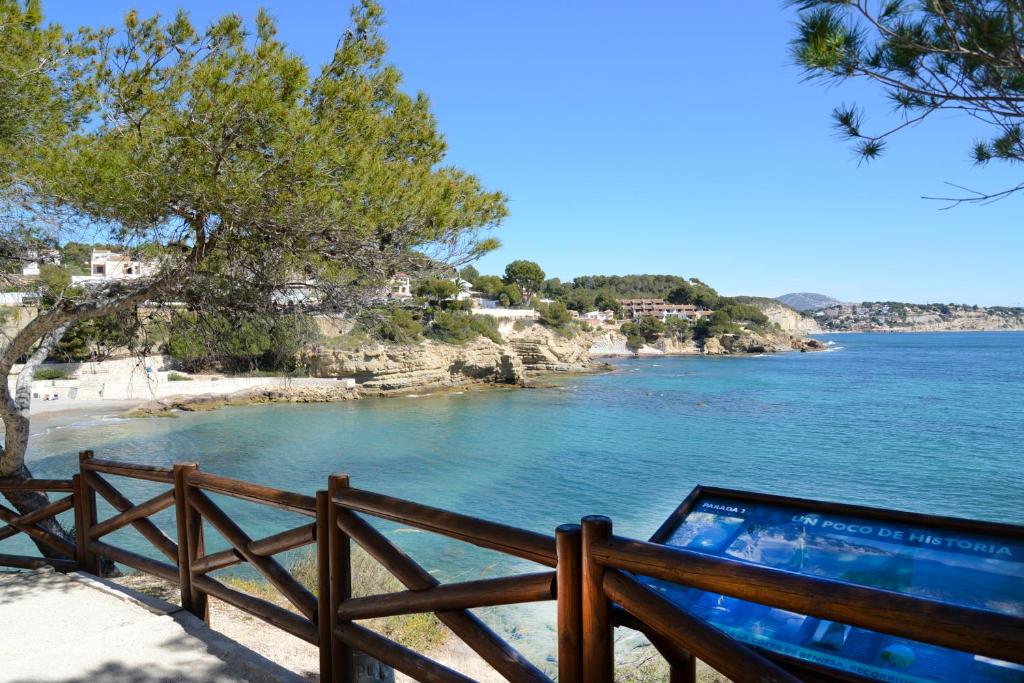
[{"x": 523, "y": 331}]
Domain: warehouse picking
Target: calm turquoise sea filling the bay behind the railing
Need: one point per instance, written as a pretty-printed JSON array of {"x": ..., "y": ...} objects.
[{"x": 924, "y": 422}]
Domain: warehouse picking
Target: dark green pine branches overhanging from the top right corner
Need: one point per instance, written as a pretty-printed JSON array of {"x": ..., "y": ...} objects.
[{"x": 926, "y": 57}]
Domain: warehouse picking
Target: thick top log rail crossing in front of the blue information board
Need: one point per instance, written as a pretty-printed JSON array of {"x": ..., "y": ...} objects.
[{"x": 977, "y": 631}]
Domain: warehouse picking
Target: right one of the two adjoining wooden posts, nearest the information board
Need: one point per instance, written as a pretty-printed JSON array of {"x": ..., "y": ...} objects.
[{"x": 599, "y": 656}]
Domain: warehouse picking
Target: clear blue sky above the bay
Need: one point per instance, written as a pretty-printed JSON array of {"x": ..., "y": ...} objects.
[{"x": 674, "y": 138}]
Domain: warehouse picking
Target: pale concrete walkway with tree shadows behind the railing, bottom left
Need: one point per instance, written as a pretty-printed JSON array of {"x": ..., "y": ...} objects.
[{"x": 76, "y": 628}]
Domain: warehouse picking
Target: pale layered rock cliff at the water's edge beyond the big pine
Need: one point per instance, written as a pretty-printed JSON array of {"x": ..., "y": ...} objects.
[{"x": 380, "y": 369}]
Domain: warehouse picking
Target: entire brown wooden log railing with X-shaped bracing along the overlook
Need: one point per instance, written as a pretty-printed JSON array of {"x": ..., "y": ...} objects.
[{"x": 599, "y": 580}]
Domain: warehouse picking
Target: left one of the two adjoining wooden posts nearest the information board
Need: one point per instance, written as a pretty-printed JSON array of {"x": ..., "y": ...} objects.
[{"x": 570, "y": 604}]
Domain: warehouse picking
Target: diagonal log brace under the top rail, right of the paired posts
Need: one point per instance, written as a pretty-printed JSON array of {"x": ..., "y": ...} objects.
[{"x": 726, "y": 655}]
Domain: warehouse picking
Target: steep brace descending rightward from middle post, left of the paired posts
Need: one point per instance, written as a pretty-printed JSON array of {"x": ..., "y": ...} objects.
[{"x": 505, "y": 659}]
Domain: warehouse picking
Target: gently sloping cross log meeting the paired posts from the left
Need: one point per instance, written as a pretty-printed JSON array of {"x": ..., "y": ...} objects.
[{"x": 468, "y": 595}]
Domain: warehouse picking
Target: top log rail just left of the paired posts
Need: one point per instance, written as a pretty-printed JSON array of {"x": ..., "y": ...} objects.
[{"x": 509, "y": 540}]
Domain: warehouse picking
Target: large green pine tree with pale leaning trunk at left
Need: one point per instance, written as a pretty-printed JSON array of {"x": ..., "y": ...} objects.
[{"x": 253, "y": 184}]
